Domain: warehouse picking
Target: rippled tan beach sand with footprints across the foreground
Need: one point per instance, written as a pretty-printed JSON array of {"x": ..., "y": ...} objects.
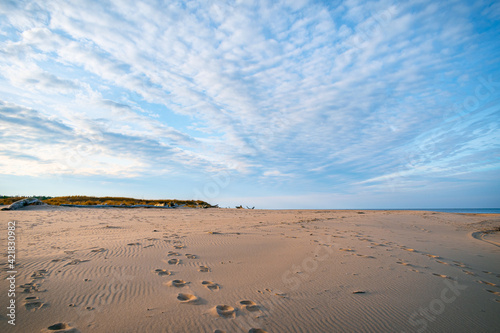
[{"x": 227, "y": 270}]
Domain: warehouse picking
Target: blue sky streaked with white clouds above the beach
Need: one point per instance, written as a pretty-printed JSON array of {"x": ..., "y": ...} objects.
[{"x": 272, "y": 104}]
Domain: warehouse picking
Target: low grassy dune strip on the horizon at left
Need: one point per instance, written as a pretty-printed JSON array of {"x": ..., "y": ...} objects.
[{"x": 91, "y": 201}]
